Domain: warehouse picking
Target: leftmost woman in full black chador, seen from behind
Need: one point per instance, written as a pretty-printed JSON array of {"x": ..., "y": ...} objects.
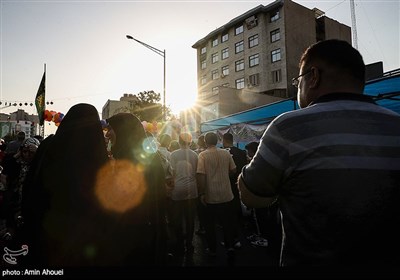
[{"x": 59, "y": 207}]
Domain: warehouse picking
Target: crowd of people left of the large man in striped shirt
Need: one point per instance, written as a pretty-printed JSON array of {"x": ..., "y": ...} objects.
[{"x": 134, "y": 202}]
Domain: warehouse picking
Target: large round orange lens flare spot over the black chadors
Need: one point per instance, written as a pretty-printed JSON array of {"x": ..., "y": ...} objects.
[{"x": 120, "y": 185}]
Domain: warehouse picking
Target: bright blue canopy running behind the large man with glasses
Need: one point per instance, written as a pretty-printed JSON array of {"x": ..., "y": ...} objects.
[{"x": 385, "y": 91}]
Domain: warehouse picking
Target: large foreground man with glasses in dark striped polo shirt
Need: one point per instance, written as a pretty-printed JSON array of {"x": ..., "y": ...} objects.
[{"x": 334, "y": 166}]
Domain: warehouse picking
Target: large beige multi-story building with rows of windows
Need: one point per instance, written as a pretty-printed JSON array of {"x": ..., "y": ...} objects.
[{"x": 251, "y": 60}]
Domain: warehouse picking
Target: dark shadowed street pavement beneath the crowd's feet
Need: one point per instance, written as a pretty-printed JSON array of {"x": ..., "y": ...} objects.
[{"x": 197, "y": 264}]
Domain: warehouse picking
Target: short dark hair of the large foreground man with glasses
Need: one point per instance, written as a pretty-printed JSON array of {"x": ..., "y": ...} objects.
[{"x": 337, "y": 53}]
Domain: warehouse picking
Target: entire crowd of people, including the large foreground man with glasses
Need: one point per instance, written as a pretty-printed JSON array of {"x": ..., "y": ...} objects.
[{"x": 325, "y": 178}]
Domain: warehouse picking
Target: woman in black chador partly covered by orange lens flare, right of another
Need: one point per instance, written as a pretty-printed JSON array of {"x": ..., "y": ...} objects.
[{"x": 140, "y": 180}]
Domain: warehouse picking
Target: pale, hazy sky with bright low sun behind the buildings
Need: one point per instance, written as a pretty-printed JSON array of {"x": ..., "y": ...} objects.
[{"x": 89, "y": 59}]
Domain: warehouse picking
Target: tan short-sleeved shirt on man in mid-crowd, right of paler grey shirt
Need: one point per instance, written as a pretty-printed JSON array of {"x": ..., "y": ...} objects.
[{"x": 216, "y": 164}]
